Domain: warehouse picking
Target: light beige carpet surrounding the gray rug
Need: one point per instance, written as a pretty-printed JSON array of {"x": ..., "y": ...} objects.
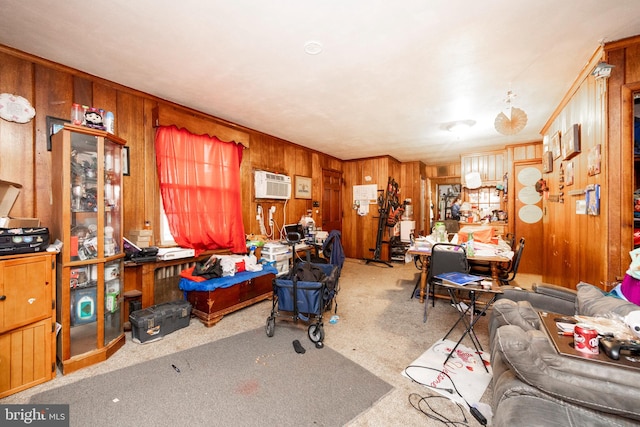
[{"x": 380, "y": 328}]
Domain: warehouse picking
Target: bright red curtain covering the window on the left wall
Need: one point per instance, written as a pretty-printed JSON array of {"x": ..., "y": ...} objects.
[{"x": 200, "y": 187}]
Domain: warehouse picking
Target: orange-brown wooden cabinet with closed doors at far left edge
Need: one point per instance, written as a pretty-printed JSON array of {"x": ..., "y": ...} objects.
[{"x": 27, "y": 321}]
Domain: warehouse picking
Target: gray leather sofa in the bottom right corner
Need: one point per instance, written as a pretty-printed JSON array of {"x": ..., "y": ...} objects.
[{"x": 533, "y": 385}]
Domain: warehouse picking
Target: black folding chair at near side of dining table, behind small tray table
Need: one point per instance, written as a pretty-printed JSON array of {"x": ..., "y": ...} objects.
[{"x": 445, "y": 258}]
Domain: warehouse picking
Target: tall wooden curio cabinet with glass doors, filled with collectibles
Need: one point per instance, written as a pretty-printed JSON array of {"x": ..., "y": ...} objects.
[{"x": 87, "y": 218}]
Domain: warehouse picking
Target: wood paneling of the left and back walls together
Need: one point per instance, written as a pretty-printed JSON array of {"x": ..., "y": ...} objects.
[{"x": 52, "y": 89}]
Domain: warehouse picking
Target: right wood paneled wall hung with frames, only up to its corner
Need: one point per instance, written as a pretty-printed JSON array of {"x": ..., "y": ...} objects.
[{"x": 576, "y": 246}]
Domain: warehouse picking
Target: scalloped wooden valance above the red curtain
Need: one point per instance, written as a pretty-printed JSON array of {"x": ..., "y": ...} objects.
[{"x": 164, "y": 115}]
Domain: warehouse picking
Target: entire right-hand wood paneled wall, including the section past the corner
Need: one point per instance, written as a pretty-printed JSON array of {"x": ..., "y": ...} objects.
[{"x": 587, "y": 248}]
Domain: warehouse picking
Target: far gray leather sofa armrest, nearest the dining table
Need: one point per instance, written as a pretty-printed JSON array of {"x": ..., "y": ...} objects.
[{"x": 544, "y": 297}]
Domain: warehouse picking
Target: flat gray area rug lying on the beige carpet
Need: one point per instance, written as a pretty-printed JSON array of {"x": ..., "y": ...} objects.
[{"x": 244, "y": 380}]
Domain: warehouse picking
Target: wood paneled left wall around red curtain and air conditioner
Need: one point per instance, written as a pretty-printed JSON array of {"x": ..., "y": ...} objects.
[{"x": 53, "y": 88}]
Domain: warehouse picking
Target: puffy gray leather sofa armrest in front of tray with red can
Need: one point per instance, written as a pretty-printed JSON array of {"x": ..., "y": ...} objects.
[{"x": 599, "y": 386}]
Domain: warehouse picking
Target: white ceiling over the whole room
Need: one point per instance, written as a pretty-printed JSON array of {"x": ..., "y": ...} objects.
[{"x": 389, "y": 79}]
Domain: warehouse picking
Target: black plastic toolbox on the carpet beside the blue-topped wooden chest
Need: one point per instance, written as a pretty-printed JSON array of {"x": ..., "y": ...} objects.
[{"x": 153, "y": 323}]
